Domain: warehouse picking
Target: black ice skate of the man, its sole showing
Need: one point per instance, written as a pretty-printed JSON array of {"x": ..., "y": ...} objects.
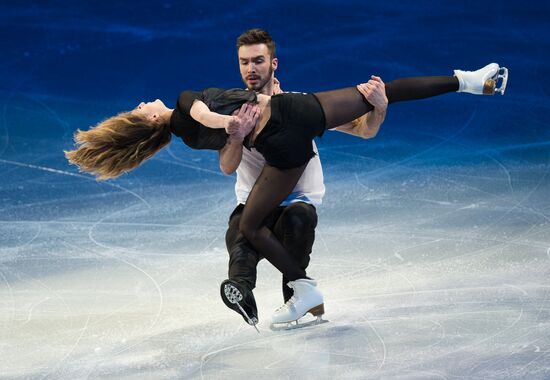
[{"x": 237, "y": 297}]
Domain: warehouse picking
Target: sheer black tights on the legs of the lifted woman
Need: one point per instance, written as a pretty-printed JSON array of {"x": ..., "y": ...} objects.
[{"x": 273, "y": 185}]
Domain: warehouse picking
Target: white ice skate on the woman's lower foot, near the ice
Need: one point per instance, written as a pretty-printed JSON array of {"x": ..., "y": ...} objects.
[{"x": 306, "y": 299}]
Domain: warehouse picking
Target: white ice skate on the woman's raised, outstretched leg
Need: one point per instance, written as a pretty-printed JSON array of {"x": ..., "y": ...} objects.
[{"x": 483, "y": 81}]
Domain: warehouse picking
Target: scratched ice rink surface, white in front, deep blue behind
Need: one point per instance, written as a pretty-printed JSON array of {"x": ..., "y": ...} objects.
[{"x": 433, "y": 244}]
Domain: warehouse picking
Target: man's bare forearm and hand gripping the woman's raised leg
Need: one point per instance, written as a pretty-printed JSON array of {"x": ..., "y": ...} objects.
[{"x": 367, "y": 126}]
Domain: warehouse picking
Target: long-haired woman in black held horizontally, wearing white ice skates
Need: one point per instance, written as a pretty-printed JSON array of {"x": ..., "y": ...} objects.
[{"x": 286, "y": 125}]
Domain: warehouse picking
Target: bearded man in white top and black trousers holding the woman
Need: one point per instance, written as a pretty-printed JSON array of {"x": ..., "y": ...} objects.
[{"x": 294, "y": 221}]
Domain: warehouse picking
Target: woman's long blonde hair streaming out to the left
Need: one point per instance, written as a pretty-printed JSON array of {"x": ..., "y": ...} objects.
[{"x": 118, "y": 144}]
